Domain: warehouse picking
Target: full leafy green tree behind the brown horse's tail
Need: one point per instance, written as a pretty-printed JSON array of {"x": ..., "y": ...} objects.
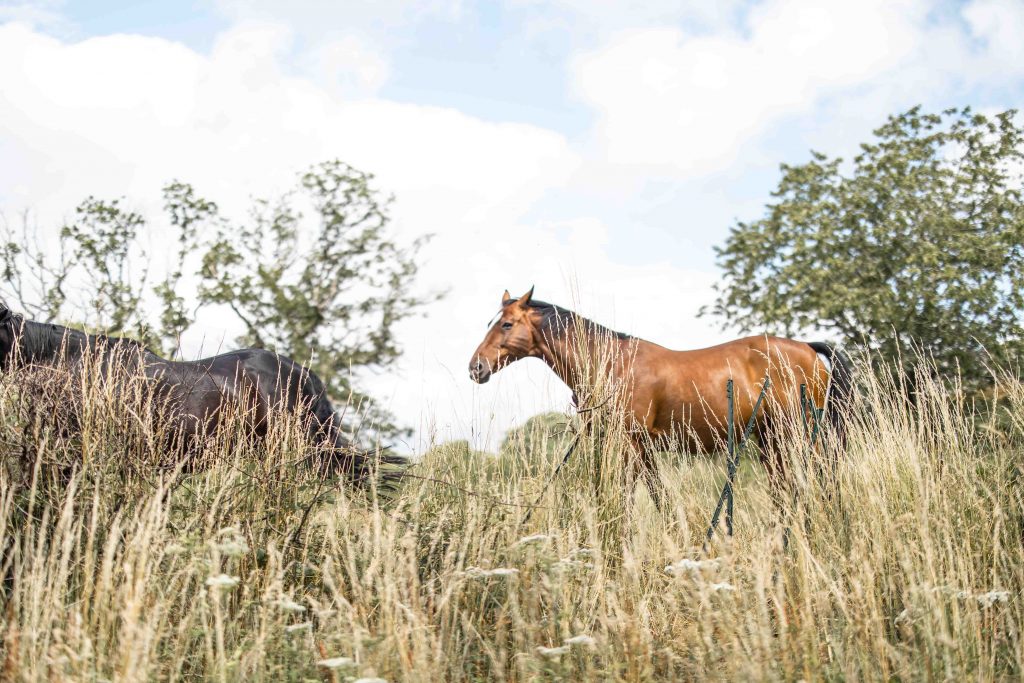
[{"x": 917, "y": 246}]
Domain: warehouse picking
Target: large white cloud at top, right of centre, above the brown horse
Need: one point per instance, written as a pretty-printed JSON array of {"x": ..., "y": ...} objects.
[{"x": 692, "y": 104}]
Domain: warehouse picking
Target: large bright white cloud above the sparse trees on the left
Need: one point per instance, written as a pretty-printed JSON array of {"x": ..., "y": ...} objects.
[{"x": 139, "y": 111}]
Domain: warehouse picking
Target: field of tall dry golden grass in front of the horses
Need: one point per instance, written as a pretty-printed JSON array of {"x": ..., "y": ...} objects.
[{"x": 119, "y": 567}]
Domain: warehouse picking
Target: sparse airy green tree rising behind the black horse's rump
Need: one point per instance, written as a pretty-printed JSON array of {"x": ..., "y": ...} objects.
[{"x": 328, "y": 292}]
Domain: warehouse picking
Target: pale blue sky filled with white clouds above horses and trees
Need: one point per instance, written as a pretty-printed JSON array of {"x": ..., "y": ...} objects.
[{"x": 598, "y": 150}]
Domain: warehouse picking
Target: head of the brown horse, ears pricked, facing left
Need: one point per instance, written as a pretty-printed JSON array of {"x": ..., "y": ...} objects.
[{"x": 515, "y": 334}]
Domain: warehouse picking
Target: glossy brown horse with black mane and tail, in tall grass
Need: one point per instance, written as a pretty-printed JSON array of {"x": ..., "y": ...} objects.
[{"x": 669, "y": 394}]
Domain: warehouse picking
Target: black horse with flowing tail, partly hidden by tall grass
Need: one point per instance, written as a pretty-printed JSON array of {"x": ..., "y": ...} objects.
[{"x": 197, "y": 397}]
